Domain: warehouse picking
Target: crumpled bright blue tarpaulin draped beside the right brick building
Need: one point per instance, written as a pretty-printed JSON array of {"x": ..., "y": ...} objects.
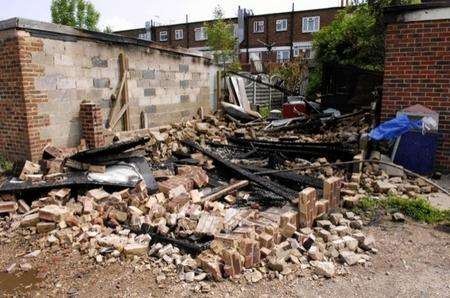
[{"x": 394, "y": 128}]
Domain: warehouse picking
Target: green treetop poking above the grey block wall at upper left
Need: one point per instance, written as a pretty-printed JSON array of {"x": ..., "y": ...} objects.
[{"x": 75, "y": 13}]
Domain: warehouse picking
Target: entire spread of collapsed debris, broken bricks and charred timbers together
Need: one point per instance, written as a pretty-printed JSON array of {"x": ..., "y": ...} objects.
[{"x": 199, "y": 221}]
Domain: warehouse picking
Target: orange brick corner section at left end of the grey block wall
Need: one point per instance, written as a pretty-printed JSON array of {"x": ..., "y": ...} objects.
[{"x": 19, "y": 117}]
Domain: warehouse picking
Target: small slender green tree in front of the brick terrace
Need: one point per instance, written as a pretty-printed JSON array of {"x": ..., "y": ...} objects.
[{"x": 222, "y": 41}]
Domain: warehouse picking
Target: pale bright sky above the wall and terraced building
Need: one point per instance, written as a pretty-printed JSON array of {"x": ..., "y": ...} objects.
[{"x": 128, "y": 14}]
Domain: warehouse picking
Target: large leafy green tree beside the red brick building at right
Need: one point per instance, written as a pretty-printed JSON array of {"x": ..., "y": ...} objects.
[{"x": 355, "y": 37}]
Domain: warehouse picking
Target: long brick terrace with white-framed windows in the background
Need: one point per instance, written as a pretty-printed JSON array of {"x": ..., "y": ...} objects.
[{"x": 287, "y": 33}]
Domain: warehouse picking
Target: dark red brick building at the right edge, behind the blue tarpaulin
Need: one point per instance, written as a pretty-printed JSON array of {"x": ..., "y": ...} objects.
[{"x": 417, "y": 65}]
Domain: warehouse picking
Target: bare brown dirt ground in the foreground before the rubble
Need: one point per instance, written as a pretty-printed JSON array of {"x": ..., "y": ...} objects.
[{"x": 413, "y": 261}]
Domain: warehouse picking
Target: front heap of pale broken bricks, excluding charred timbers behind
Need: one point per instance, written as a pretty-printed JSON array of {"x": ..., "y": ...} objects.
[{"x": 107, "y": 226}]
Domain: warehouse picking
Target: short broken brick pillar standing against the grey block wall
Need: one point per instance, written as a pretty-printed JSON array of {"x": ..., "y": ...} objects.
[{"x": 91, "y": 119}]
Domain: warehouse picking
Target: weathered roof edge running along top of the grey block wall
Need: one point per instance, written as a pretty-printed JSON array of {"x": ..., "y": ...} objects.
[{"x": 50, "y": 30}]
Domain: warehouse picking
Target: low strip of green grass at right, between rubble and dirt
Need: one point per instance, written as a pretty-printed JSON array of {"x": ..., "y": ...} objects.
[{"x": 416, "y": 208}]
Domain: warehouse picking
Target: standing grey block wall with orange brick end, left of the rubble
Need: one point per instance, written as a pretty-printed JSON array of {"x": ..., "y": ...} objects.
[{"x": 58, "y": 67}]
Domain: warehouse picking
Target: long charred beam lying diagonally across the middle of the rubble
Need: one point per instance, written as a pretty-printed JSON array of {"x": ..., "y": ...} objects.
[{"x": 264, "y": 183}]
